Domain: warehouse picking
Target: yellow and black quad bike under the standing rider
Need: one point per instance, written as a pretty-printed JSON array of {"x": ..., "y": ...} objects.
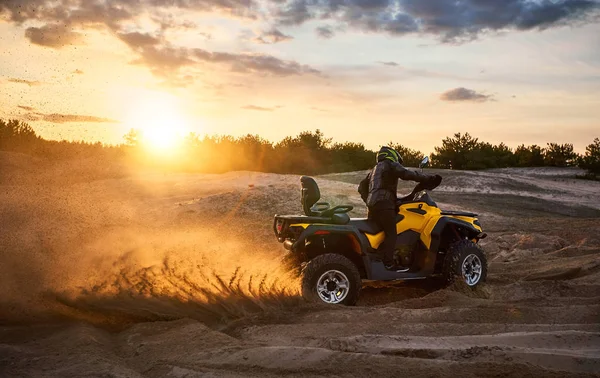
[{"x": 335, "y": 253}]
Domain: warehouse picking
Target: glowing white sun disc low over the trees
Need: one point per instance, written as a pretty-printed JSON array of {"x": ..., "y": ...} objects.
[{"x": 160, "y": 120}]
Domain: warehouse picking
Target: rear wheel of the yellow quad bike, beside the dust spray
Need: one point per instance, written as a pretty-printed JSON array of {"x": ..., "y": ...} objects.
[{"x": 331, "y": 279}]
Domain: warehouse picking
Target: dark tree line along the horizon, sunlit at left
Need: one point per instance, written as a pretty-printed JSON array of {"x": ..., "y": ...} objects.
[{"x": 307, "y": 153}]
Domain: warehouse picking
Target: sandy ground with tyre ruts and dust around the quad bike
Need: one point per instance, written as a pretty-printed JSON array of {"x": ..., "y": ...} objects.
[{"x": 179, "y": 275}]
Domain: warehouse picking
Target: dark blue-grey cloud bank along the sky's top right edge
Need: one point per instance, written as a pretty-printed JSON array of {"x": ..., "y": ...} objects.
[{"x": 451, "y": 21}]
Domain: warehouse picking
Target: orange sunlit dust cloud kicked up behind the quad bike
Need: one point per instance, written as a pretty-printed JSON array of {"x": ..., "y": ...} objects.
[{"x": 97, "y": 250}]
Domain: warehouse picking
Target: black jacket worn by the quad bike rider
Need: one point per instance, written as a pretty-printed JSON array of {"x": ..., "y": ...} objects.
[{"x": 383, "y": 183}]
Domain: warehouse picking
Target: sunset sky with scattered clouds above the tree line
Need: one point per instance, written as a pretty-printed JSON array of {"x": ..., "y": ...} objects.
[{"x": 369, "y": 71}]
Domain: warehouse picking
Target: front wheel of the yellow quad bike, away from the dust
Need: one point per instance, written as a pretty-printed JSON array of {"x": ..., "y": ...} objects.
[{"x": 465, "y": 261}]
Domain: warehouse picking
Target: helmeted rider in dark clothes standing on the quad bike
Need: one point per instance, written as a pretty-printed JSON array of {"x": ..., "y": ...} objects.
[{"x": 379, "y": 189}]
